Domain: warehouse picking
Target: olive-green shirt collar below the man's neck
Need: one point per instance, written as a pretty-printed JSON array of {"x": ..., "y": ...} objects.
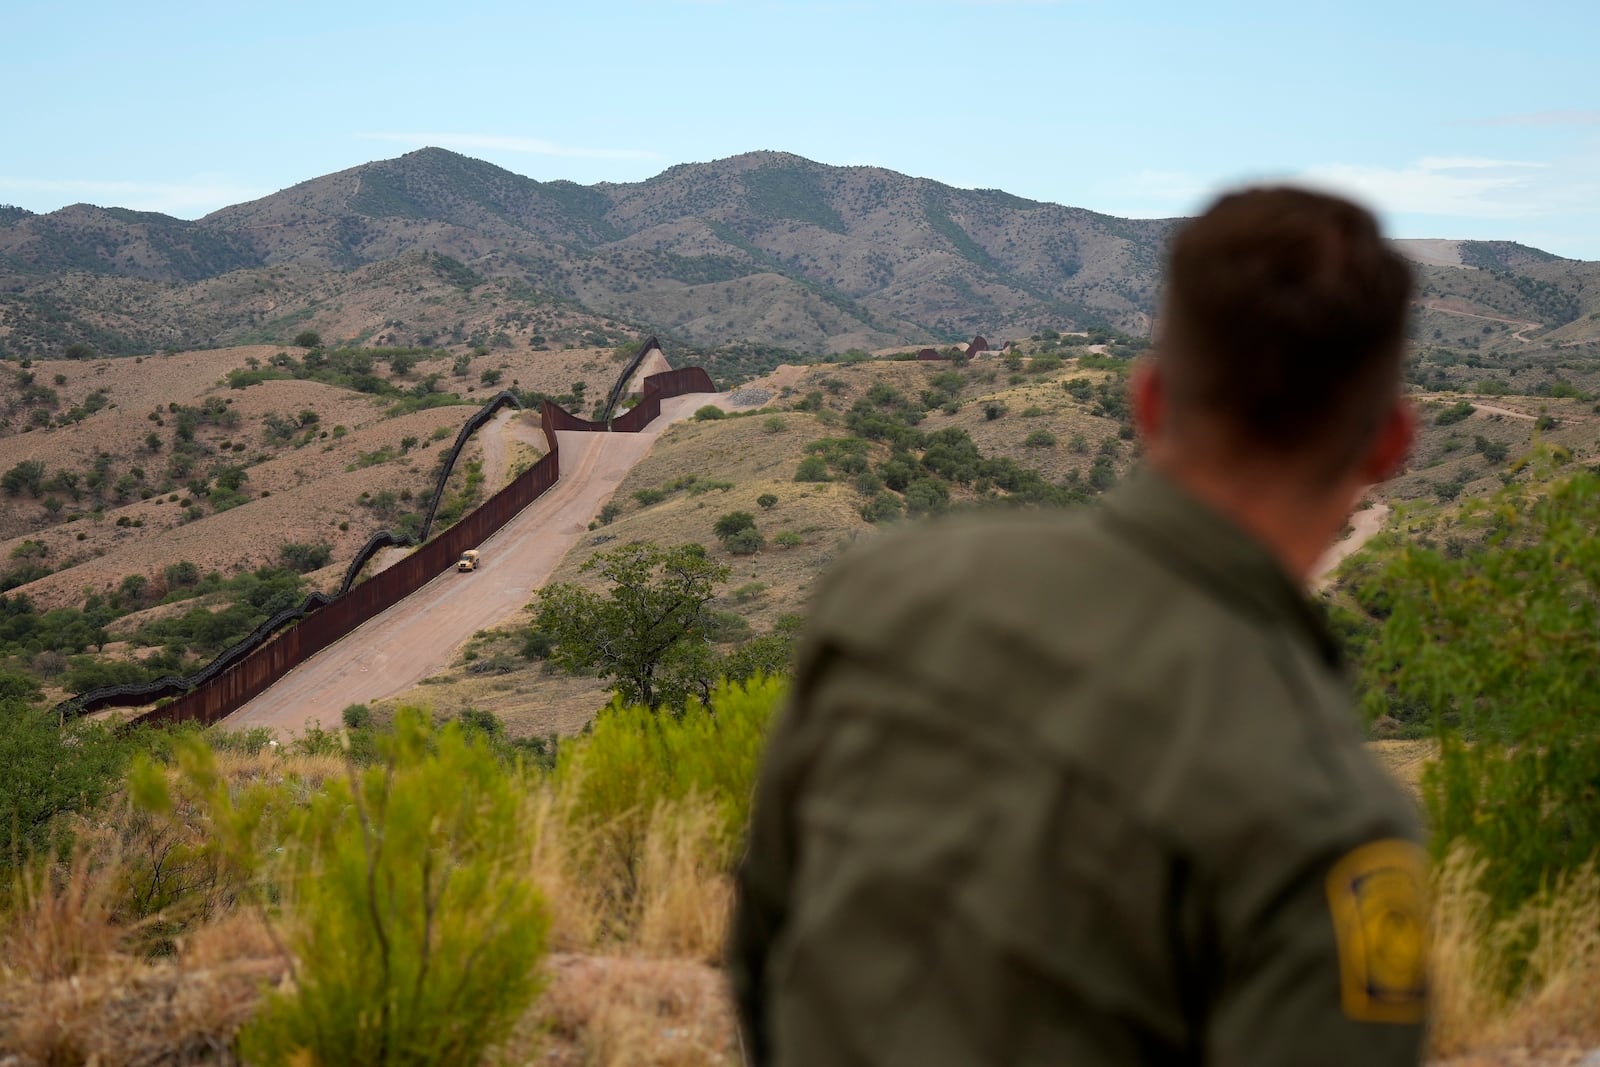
[{"x": 1214, "y": 551}]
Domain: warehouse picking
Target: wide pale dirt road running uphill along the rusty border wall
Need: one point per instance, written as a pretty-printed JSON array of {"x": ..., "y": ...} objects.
[{"x": 423, "y": 633}]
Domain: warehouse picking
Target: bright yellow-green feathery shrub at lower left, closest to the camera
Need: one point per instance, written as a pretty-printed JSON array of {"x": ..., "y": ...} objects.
[{"x": 418, "y": 935}]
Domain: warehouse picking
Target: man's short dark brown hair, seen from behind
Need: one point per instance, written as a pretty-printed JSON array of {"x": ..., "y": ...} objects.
[{"x": 1284, "y": 324}]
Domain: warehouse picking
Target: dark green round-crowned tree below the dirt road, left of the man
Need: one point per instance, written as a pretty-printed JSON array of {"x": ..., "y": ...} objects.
[{"x": 647, "y": 631}]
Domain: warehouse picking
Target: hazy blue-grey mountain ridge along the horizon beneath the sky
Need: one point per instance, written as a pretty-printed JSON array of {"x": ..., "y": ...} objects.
[{"x": 761, "y": 247}]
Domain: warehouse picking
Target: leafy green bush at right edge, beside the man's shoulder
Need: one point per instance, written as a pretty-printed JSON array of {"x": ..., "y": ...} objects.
[{"x": 1502, "y": 644}]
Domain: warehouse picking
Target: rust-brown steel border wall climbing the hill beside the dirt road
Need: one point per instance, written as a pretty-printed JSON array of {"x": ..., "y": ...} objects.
[{"x": 254, "y": 666}]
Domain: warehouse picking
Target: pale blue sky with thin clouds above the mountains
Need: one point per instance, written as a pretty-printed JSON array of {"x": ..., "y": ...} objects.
[{"x": 1458, "y": 119}]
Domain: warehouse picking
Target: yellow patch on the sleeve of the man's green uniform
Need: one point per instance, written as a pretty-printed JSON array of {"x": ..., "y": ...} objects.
[{"x": 1378, "y": 900}]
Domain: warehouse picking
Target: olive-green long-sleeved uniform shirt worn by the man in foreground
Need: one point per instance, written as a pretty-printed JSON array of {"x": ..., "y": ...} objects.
[{"x": 1076, "y": 789}]
